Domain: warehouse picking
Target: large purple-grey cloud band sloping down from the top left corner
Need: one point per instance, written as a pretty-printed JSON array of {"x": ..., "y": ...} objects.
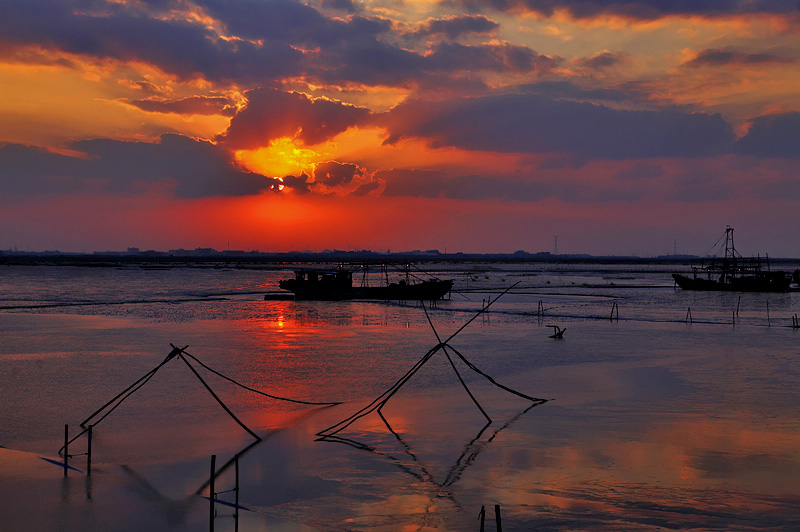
[{"x": 176, "y": 45}]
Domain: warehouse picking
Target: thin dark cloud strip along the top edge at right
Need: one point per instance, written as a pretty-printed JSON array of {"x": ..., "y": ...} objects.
[{"x": 638, "y": 9}]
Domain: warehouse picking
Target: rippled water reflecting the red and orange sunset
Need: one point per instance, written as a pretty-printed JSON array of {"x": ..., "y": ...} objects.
[{"x": 680, "y": 414}]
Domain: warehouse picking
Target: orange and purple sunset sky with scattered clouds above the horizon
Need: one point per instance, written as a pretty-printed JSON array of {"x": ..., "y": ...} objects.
[{"x": 627, "y": 127}]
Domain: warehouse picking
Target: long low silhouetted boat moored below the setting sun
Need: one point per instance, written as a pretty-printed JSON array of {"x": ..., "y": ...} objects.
[{"x": 337, "y": 285}]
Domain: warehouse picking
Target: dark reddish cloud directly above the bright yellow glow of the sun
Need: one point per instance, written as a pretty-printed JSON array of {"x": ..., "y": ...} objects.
[{"x": 272, "y": 114}]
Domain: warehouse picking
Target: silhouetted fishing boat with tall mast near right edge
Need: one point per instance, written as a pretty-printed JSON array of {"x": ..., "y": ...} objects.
[{"x": 734, "y": 273}]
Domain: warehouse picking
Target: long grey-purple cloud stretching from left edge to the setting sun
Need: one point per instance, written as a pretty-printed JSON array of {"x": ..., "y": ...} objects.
[{"x": 190, "y": 167}]
